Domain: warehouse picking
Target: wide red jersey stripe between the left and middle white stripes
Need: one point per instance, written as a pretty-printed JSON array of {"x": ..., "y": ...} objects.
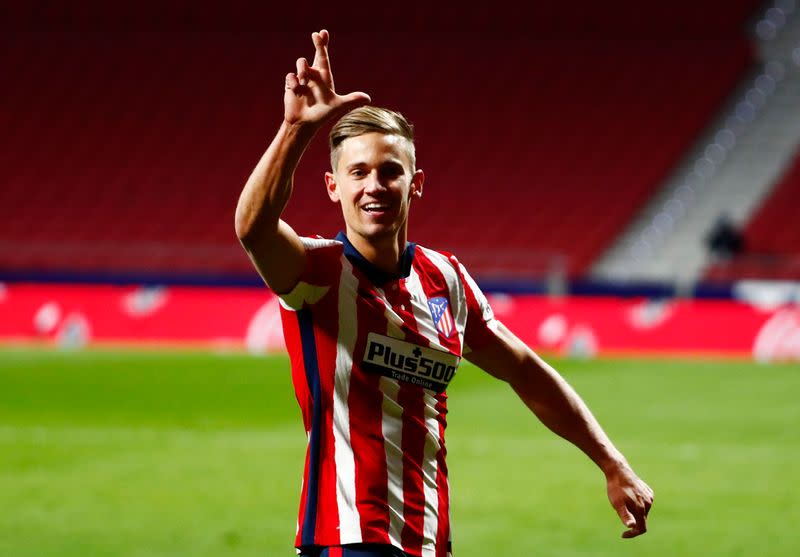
[{"x": 365, "y": 403}]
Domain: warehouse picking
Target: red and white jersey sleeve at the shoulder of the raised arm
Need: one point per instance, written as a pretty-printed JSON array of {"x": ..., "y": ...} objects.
[{"x": 323, "y": 265}]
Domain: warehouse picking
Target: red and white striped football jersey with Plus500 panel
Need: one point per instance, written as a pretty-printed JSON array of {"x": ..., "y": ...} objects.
[{"x": 371, "y": 358}]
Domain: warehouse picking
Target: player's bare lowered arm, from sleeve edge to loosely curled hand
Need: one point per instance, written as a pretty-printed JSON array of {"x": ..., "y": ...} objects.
[{"x": 560, "y": 408}]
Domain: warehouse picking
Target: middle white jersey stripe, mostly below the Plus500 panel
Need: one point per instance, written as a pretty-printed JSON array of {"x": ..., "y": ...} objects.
[{"x": 392, "y": 428}]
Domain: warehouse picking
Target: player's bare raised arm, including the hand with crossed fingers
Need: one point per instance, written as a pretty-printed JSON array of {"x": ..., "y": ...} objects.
[{"x": 309, "y": 101}]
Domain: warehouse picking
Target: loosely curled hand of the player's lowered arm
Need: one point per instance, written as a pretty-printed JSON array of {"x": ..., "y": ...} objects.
[{"x": 631, "y": 497}]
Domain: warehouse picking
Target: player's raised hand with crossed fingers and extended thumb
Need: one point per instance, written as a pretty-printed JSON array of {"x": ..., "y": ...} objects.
[{"x": 310, "y": 97}]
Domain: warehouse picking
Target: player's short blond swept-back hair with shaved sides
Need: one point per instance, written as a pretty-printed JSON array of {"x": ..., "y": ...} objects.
[{"x": 371, "y": 119}]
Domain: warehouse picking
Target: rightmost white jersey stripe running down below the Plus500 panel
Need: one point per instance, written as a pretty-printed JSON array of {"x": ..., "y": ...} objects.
[{"x": 429, "y": 473}]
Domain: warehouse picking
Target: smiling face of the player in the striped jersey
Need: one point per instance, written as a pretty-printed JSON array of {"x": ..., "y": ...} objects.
[{"x": 374, "y": 182}]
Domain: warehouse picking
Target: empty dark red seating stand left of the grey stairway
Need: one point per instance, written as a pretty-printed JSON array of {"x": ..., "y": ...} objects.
[{"x": 127, "y": 151}]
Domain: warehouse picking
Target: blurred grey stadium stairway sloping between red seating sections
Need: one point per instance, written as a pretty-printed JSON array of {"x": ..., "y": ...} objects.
[{"x": 731, "y": 171}]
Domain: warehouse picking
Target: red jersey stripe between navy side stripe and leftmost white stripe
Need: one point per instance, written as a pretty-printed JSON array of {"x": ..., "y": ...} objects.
[{"x": 326, "y": 311}]
